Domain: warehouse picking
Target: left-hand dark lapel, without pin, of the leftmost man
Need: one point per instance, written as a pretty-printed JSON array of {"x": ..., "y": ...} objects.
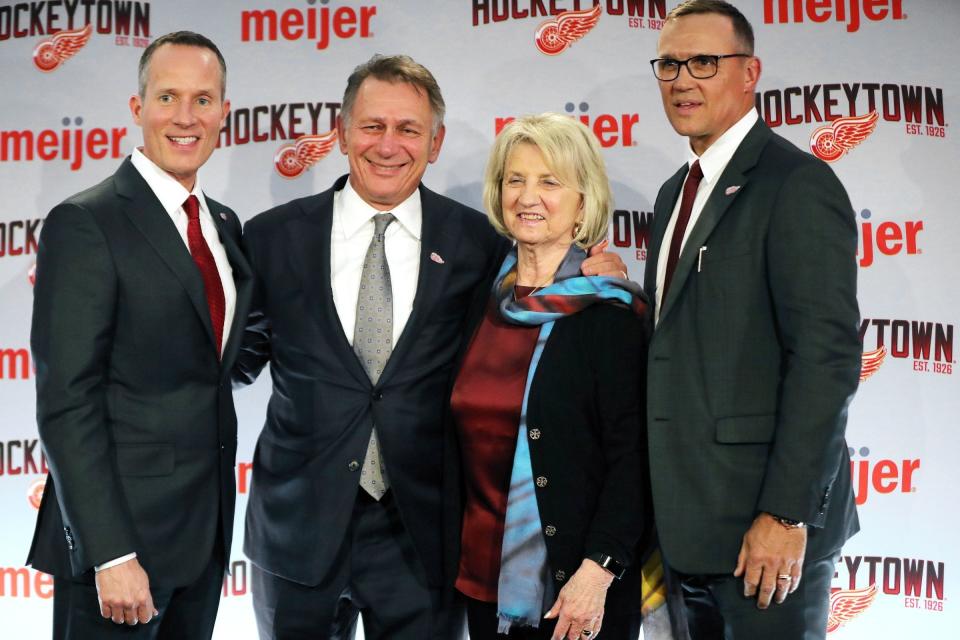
[{"x": 148, "y": 216}]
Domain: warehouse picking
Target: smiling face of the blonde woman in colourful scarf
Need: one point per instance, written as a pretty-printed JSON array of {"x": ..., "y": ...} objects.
[{"x": 538, "y": 210}]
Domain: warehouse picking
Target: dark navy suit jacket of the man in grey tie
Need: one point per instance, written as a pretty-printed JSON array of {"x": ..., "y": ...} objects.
[{"x": 323, "y": 407}]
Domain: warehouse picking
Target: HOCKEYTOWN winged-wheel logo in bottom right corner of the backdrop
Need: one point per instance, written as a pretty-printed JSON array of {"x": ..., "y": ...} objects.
[{"x": 860, "y": 580}]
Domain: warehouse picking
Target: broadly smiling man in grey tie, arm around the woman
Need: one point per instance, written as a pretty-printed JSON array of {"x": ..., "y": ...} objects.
[{"x": 359, "y": 307}]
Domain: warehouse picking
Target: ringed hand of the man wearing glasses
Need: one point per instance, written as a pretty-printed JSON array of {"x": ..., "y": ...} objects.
[{"x": 770, "y": 552}]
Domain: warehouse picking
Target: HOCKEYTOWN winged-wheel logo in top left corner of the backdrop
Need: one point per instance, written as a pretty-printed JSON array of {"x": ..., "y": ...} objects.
[{"x": 70, "y": 24}]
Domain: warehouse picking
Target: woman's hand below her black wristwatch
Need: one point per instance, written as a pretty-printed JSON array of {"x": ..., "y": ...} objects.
[{"x": 579, "y": 604}]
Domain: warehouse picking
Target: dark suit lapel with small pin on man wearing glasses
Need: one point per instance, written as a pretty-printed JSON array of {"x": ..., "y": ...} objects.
[{"x": 731, "y": 183}]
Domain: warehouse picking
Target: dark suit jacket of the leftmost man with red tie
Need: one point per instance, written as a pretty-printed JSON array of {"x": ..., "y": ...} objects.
[{"x": 134, "y": 406}]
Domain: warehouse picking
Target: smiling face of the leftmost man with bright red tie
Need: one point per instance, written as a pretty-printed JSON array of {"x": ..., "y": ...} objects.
[{"x": 181, "y": 111}]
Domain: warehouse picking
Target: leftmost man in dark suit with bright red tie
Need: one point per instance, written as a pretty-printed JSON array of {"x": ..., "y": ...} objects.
[{"x": 141, "y": 295}]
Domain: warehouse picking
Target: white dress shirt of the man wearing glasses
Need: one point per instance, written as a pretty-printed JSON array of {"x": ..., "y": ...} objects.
[{"x": 713, "y": 161}]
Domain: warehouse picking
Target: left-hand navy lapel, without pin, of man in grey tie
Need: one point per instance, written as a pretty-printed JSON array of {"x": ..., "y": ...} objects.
[{"x": 309, "y": 243}]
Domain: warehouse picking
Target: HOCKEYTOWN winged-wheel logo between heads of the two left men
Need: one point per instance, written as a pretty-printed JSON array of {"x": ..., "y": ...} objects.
[{"x": 307, "y": 129}]
